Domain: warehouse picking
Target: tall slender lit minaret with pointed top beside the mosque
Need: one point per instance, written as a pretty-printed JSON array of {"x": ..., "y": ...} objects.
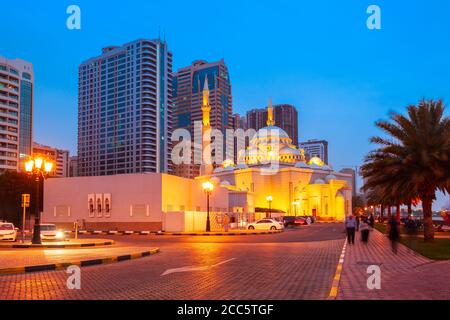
[{"x": 206, "y": 166}]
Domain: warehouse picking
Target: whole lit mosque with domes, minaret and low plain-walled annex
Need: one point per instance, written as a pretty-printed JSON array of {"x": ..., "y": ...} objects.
[{"x": 271, "y": 178}]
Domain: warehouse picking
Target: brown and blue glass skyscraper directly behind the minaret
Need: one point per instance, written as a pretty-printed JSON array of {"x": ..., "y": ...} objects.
[{"x": 188, "y": 94}]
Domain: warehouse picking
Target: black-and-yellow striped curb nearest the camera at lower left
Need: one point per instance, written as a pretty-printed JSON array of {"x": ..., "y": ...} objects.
[{"x": 83, "y": 263}]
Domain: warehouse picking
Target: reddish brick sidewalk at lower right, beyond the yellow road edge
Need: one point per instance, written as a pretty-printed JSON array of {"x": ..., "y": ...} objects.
[{"x": 404, "y": 276}]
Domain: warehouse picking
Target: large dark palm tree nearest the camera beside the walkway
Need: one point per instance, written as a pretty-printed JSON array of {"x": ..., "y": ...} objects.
[{"x": 414, "y": 161}]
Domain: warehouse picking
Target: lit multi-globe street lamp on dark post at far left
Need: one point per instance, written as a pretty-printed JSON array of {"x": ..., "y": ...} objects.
[{"x": 39, "y": 168}]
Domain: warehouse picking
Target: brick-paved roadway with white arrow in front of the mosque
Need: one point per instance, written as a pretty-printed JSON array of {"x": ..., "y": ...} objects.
[{"x": 270, "y": 268}]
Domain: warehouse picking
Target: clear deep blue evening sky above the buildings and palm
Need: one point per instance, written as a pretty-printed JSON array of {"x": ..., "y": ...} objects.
[{"x": 318, "y": 55}]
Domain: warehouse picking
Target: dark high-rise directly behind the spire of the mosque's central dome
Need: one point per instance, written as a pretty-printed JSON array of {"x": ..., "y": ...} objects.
[{"x": 285, "y": 117}]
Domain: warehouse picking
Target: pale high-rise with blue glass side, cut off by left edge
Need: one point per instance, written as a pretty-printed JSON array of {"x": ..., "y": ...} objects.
[{"x": 16, "y": 112}]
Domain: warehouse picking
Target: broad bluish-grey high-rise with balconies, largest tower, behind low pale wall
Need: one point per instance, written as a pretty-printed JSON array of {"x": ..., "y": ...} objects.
[{"x": 125, "y": 110}]
